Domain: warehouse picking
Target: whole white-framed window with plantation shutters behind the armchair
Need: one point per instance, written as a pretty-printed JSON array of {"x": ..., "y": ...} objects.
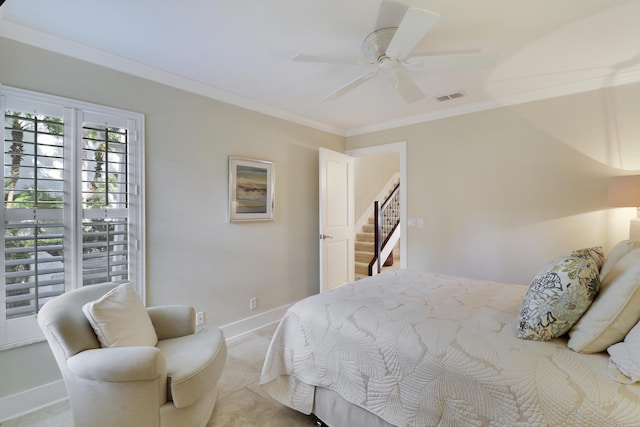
[{"x": 73, "y": 205}]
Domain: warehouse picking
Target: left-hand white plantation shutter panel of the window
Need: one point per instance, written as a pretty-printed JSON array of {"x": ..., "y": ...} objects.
[{"x": 33, "y": 206}]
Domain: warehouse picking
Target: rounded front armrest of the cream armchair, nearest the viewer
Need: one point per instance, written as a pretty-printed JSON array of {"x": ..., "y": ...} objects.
[{"x": 118, "y": 364}]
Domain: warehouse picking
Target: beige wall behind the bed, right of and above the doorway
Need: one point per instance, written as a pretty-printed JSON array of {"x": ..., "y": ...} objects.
[{"x": 503, "y": 191}]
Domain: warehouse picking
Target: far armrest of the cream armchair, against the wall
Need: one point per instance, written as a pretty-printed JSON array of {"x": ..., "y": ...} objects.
[{"x": 172, "y": 321}]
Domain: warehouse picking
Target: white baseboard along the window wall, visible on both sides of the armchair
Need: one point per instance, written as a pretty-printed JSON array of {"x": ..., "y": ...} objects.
[{"x": 39, "y": 397}]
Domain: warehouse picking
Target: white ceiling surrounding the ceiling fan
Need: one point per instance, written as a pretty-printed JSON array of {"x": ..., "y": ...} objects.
[{"x": 239, "y": 51}]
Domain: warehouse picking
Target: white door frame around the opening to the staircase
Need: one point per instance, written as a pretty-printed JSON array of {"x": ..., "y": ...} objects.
[{"x": 401, "y": 148}]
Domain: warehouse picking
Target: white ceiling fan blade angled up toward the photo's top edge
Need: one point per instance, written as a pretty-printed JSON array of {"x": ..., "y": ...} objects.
[{"x": 415, "y": 24}]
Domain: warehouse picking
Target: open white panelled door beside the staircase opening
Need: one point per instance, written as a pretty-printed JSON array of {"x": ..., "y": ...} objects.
[{"x": 336, "y": 219}]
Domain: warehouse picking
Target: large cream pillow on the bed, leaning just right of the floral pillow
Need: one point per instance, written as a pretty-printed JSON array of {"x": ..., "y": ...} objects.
[{"x": 615, "y": 310}]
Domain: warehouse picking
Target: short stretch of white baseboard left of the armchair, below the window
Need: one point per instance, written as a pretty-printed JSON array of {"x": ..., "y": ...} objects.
[{"x": 31, "y": 400}]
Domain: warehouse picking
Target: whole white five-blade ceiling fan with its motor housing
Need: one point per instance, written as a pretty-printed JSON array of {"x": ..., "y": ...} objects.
[{"x": 390, "y": 50}]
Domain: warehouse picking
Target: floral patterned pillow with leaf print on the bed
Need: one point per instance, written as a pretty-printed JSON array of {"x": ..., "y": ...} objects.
[{"x": 558, "y": 296}]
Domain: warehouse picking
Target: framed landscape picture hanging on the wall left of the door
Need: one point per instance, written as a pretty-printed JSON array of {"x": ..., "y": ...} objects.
[{"x": 251, "y": 185}]
